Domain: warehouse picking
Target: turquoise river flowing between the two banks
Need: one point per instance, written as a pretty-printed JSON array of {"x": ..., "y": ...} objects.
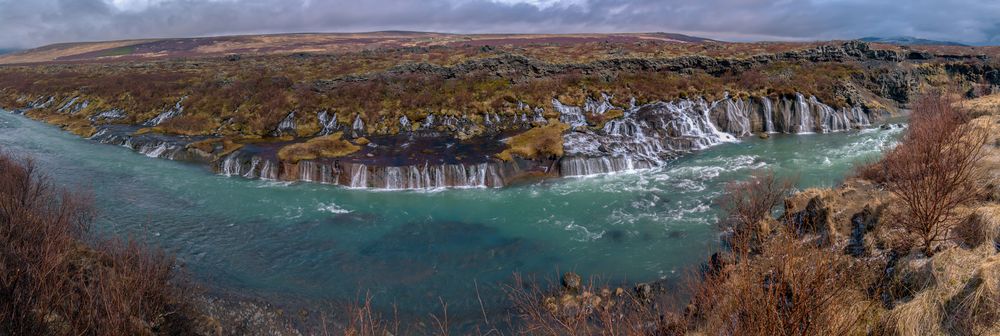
[{"x": 311, "y": 244}]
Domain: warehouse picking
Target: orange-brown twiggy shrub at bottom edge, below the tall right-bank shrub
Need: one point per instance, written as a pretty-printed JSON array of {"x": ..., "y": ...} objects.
[{"x": 791, "y": 288}]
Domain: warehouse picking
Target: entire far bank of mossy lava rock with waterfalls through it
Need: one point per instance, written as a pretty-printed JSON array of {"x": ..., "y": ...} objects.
[{"x": 616, "y": 121}]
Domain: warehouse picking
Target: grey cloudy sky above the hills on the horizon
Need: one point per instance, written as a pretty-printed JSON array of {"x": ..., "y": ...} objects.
[{"x": 32, "y": 23}]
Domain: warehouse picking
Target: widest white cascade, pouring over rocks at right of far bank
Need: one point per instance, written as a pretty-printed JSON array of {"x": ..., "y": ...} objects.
[{"x": 648, "y": 136}]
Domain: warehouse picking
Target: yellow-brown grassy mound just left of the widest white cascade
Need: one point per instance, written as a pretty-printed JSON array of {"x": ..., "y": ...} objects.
[{"x": 537, "y": 143}]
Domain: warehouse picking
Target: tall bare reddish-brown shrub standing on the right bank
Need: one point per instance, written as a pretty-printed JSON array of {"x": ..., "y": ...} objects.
[{"x": 934, "y": 169}]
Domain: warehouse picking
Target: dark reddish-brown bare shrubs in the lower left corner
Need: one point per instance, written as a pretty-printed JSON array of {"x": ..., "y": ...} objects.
[{"x": 52, "y": 284}]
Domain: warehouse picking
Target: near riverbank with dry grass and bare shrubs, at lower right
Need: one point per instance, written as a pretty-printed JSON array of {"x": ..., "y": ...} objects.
[{"x": 910, "y": 247}]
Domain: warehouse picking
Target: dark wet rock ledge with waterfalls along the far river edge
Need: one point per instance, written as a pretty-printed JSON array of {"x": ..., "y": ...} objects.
[{"x": 628, "y": 138}]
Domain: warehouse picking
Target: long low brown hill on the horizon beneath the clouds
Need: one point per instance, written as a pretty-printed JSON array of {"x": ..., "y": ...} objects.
[{"x": 307, "y": 43}]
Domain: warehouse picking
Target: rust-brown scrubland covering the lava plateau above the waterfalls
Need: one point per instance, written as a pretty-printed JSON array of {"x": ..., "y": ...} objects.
[{"x": 251, "y": 95}]
